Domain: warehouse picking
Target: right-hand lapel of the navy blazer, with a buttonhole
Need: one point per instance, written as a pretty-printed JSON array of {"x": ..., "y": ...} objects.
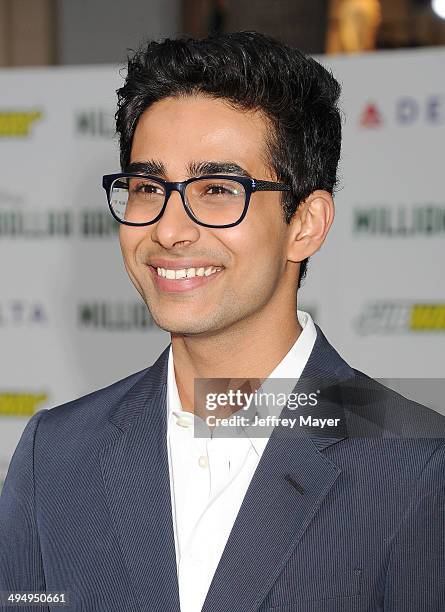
[{"x": 290, "y": 482}]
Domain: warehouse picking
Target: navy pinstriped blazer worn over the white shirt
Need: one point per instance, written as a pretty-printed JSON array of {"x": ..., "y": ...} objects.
[{"x": 349, "y": 521}]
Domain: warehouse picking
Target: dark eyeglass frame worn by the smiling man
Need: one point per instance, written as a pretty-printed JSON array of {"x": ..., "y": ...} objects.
[{"x": 250, "y": 186}]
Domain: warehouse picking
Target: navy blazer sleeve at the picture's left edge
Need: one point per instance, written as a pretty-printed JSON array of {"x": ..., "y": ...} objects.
[{"x": 21, "y": 567}]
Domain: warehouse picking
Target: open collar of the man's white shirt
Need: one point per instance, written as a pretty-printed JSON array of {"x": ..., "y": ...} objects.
[{"x": 290, "y": 368}]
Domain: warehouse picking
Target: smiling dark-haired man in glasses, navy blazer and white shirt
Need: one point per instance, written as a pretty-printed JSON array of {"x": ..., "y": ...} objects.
[{"x": 229, "y": 152}]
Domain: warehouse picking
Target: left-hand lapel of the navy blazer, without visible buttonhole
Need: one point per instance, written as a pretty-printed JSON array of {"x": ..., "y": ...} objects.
[{"x": 135, "y": 471}]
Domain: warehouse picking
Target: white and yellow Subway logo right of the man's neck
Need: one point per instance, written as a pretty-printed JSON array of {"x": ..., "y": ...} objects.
[{"x": 399, "y": 317}]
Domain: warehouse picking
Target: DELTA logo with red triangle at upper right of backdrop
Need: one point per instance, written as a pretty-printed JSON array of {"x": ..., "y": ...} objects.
[{"x": 406, "y": 111}]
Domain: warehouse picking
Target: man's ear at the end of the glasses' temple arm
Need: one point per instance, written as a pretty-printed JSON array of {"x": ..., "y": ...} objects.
[{"x": 310, "y": 225}]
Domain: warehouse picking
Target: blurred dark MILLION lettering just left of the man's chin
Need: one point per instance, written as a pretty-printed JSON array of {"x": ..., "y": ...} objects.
[{"x": 114, "y": 316}]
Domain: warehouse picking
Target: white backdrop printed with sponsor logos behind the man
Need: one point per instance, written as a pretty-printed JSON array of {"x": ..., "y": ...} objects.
[{"x": 70, "y": 320}]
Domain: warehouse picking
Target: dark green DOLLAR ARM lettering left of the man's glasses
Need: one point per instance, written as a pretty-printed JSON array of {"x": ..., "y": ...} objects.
[{"x": 57, "y": 223}]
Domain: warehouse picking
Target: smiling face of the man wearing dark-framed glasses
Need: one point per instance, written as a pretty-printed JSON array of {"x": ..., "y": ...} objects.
[{"x": 176, "y": 132}]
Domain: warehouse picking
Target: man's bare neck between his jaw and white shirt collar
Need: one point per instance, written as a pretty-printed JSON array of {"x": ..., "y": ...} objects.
[{"x": 241, "y": 351}]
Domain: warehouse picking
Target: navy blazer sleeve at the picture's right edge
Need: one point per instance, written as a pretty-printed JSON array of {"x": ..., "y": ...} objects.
[{"x": 416, "y": 573}]
